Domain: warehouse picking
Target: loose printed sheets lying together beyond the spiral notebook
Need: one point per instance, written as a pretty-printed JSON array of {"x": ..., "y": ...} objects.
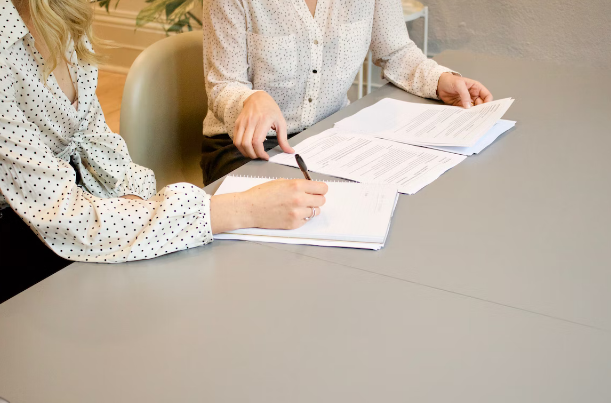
[{"x": 401, "y": 143}]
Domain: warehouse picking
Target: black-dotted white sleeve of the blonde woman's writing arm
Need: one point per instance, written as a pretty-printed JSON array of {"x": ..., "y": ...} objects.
[{"x": 41, "y": 189}]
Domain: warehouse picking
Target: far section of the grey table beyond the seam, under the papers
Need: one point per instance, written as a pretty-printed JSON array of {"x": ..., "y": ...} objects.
[{"x": 528, "y": 222}]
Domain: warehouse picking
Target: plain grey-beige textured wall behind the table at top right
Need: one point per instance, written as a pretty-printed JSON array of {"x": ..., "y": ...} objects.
[{"x": 576, "y": 32}]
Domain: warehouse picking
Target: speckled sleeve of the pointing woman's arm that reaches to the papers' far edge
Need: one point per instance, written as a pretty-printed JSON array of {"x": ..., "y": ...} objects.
[{"x": 402, "y": 62}]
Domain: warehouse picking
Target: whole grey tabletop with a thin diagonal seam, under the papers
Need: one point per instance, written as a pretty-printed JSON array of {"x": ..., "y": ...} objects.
[{"x": 493, "y": 286}]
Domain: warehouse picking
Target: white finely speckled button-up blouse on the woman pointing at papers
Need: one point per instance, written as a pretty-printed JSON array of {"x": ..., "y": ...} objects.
[{"x": 307, "y": 64}]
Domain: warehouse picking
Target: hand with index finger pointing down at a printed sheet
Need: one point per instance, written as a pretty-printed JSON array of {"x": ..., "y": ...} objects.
[{"x": 259, "y": 115}]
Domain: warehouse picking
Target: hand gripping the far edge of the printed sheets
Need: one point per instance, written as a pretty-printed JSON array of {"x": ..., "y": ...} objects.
[{"x": 461, "y": 91}]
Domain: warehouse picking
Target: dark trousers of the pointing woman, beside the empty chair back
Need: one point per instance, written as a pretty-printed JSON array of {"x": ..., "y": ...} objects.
[{"x": 220, "y": 156}]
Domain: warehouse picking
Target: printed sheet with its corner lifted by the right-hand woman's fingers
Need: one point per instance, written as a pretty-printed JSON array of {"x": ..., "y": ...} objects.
[{"x": 425, "y": 124}]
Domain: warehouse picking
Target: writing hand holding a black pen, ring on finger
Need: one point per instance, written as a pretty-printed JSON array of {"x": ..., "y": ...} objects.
[{"x": 279, "y": 204}]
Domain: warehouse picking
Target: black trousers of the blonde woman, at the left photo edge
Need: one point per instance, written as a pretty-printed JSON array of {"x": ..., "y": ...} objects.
[{"x": 24, "y": 259}]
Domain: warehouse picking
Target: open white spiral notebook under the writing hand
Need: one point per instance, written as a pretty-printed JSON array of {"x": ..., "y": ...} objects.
[{"x": 355, "y": 215}]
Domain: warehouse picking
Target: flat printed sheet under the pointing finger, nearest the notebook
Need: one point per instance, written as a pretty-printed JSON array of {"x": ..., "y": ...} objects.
[{"x": 371, "y": 160}]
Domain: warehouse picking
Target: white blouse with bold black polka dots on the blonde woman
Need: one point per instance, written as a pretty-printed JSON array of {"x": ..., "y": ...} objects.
[{"x": 42, "y": 137}]
